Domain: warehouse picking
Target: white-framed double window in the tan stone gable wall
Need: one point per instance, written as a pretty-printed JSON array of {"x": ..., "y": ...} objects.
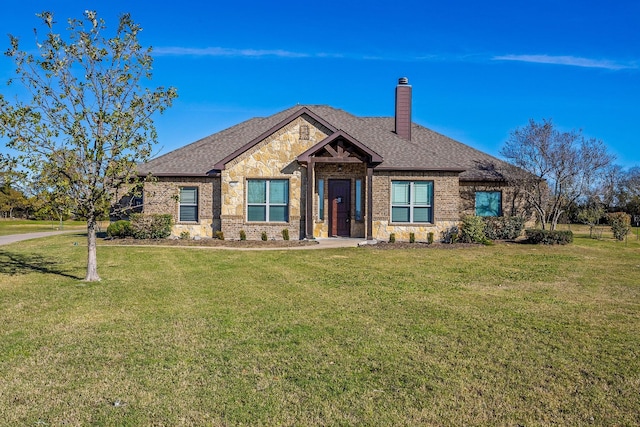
[{"x": 268, "y": 200}]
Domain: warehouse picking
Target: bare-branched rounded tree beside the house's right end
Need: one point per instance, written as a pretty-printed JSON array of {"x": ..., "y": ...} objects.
[{"x": 553, "y": 169}]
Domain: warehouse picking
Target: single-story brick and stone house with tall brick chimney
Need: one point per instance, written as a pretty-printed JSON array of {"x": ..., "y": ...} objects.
[{"x": 319, "y": 171}]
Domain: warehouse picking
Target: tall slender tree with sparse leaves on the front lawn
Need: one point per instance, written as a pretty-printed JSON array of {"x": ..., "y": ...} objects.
[{"x": 88, "y": 118}]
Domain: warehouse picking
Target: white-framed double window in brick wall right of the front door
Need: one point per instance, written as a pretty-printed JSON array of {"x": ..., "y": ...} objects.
[{"x": 412, "y": 201}]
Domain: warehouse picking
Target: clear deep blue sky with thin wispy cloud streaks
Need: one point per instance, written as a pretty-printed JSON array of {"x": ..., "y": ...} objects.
[{"x": 479, "y": 69}]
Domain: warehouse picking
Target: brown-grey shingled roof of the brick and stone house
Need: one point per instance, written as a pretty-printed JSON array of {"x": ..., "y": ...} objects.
[{"x": 426, "y": 151}]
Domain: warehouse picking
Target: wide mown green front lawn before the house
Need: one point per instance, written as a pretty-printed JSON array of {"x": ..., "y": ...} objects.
[{"x": 499, "y": 335}]
